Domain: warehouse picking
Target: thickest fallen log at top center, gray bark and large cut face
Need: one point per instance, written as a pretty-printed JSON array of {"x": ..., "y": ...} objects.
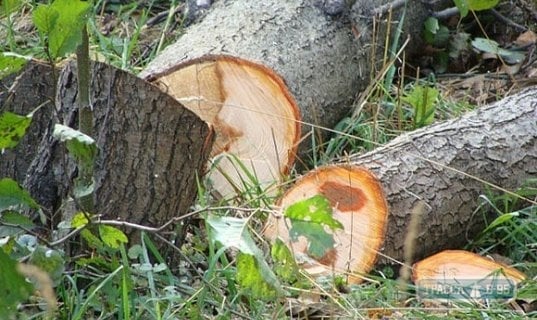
[{"x": 321, "y": 52}]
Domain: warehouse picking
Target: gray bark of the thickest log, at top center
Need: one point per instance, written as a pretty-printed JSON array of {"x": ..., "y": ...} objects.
[{"x": 324, "y": 59}]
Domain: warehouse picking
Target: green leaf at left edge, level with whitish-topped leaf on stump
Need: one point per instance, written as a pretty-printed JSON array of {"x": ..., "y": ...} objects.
[{"x": 12, "y": 129}]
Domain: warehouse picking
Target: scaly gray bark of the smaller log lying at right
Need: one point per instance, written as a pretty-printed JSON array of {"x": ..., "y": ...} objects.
[{"x": 442, "y": 165}]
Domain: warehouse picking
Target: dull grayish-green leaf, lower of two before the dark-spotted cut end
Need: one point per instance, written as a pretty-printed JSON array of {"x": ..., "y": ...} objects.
[{"x": 319, "y": 241}]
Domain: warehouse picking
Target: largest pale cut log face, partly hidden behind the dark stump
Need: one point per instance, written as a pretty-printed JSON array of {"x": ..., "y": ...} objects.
[{"x": 256, "y": 119}]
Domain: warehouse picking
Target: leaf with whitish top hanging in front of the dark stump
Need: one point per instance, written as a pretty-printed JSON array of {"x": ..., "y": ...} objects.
[{"x": 79, "y": 145}]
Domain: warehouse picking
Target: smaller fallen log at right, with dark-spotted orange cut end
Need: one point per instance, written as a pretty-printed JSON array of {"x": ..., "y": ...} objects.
[{"x": 447, "y": 166}]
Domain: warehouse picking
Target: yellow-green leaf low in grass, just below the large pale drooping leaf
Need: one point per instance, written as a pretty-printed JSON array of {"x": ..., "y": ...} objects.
[{"x": 249, "y": 277}]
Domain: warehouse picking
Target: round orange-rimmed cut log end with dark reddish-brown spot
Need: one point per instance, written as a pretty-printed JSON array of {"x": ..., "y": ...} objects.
[{"x": 358, "y": 202}]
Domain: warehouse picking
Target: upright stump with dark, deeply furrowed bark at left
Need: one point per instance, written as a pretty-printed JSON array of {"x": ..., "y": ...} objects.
[{"x": 152, "y": 149}]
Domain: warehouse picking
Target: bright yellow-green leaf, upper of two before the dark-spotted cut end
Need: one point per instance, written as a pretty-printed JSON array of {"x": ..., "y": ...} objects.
[{"x": 316, "y": 210}]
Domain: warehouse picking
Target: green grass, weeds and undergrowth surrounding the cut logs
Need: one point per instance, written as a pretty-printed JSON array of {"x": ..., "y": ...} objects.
[{"x": 114, "y": 279}]
